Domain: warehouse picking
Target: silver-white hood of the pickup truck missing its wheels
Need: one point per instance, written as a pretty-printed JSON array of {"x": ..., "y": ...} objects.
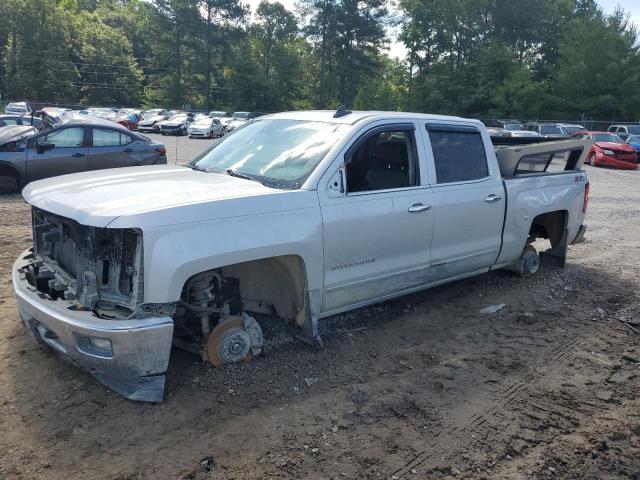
[{"x": 97, "y": 198}]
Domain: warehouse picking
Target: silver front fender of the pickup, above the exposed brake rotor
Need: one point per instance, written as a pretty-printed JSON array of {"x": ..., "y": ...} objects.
[{"x": 175, "y": 253}]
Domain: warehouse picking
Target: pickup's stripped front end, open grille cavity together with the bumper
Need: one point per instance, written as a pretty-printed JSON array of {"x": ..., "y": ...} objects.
[{"x": 80, "y": 291}]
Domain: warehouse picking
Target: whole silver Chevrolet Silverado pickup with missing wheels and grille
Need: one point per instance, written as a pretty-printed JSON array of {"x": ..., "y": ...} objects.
[{"x": 294, "y": 216}]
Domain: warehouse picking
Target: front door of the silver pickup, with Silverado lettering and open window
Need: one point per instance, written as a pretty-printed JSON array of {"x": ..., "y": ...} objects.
[{"x": 377, "y": 228}]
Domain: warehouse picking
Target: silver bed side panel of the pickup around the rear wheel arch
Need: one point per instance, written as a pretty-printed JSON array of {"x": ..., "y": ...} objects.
[{"x": 531, "y": 196}]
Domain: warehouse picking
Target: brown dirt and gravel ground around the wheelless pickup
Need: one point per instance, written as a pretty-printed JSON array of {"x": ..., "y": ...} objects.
[{"x": 422, "y": 387}]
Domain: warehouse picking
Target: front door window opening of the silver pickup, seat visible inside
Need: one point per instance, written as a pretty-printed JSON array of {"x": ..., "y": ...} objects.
[{"x": 383, "y": 161}]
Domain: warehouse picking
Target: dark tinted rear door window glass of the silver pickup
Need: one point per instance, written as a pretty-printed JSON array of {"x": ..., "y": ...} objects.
[{"x": 459, "y": 156}]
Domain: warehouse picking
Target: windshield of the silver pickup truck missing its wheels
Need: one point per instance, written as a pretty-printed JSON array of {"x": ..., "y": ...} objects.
[{"x": 277, "y": 153}]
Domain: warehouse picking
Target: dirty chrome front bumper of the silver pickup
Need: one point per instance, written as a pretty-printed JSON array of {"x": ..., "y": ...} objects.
[{"x": 138, "y": 356}]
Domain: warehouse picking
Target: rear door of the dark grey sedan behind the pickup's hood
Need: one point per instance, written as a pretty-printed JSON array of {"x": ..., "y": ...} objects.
[{"x": 111, "y": 148}]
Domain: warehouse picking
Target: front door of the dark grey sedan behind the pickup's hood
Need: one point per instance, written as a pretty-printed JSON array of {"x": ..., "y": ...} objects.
[{"x": 57, "y": 152}]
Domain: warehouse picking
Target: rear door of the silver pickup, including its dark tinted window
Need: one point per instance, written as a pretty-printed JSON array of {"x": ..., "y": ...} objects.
[{"x": 469, "y": 201}]
